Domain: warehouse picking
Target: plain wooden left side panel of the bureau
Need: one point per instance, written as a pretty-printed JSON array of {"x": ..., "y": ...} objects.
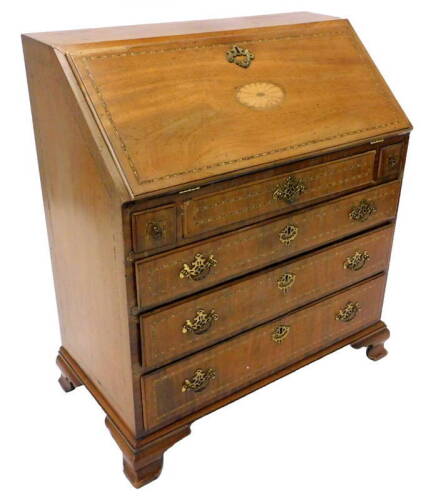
[{"x": 83, "y": 212}]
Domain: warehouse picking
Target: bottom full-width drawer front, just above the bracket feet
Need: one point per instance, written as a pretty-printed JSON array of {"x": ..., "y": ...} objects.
[{"x": 199, "y": 380}]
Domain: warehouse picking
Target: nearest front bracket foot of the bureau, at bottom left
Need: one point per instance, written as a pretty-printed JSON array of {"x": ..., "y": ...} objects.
[{"x": 143, "y": 463}]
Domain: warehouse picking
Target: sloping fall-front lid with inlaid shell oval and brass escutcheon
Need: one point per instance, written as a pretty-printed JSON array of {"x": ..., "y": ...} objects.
[{"x": 180, "y": 109}]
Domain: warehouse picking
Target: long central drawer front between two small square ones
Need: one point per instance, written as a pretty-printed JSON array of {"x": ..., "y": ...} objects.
[{"x": 276, "y": 194}]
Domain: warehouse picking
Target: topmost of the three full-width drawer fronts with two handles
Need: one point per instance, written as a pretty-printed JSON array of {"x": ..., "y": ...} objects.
[{"x": 162, "y": 278}]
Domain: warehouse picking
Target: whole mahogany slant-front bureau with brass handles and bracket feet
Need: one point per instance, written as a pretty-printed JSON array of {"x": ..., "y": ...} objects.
[{"x": 220, "y": 200}]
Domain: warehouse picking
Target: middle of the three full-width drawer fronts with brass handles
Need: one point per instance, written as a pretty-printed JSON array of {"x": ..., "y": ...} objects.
[{"x": 173, "y": 331}]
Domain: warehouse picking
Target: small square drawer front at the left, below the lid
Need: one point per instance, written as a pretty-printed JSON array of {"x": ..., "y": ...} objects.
[{"x": 155, "y": 228}]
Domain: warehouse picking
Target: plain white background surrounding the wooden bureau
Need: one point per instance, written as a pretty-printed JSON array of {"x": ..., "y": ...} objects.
[{"x": 344, "y": 427}]
